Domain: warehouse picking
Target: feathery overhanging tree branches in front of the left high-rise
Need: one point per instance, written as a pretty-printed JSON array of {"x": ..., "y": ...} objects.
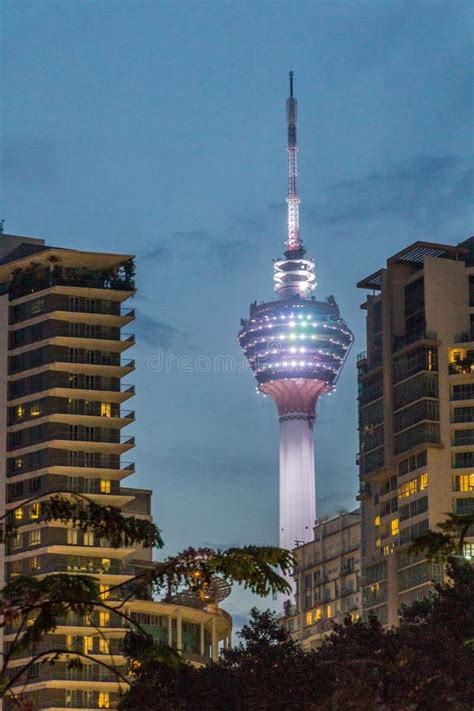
[{"x": 31, "y": 607}]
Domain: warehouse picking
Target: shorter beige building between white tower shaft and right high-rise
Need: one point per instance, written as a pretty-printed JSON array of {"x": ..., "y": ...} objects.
[{"x": 327, "y": 576}]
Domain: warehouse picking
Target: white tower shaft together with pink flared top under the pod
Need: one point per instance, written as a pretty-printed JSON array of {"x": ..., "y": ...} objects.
[{"x": 296, "y": 403}]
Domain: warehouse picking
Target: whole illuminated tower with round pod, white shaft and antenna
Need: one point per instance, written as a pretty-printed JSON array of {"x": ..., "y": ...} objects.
[{"x": 296, "y": 347}]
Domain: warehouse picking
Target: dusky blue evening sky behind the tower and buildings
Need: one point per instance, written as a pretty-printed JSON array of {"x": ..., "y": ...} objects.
[{"x": 158, "y": 128}]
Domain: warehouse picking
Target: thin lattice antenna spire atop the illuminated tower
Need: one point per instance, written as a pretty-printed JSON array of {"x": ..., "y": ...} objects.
[{"x": 294, "y": 241}]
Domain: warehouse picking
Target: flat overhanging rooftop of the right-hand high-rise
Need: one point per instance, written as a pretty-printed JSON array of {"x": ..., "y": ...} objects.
[{"x": 415, "y": 254}]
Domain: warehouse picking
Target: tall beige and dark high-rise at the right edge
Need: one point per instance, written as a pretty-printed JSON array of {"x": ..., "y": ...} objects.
[{"x": 416, "y": 415}]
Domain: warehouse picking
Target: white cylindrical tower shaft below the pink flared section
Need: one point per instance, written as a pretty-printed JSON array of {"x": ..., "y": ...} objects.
[{"x": 297, "y": 481}]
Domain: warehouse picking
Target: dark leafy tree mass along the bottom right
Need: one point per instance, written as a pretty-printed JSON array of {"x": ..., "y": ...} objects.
[{"x": 423, "y": 665}]
